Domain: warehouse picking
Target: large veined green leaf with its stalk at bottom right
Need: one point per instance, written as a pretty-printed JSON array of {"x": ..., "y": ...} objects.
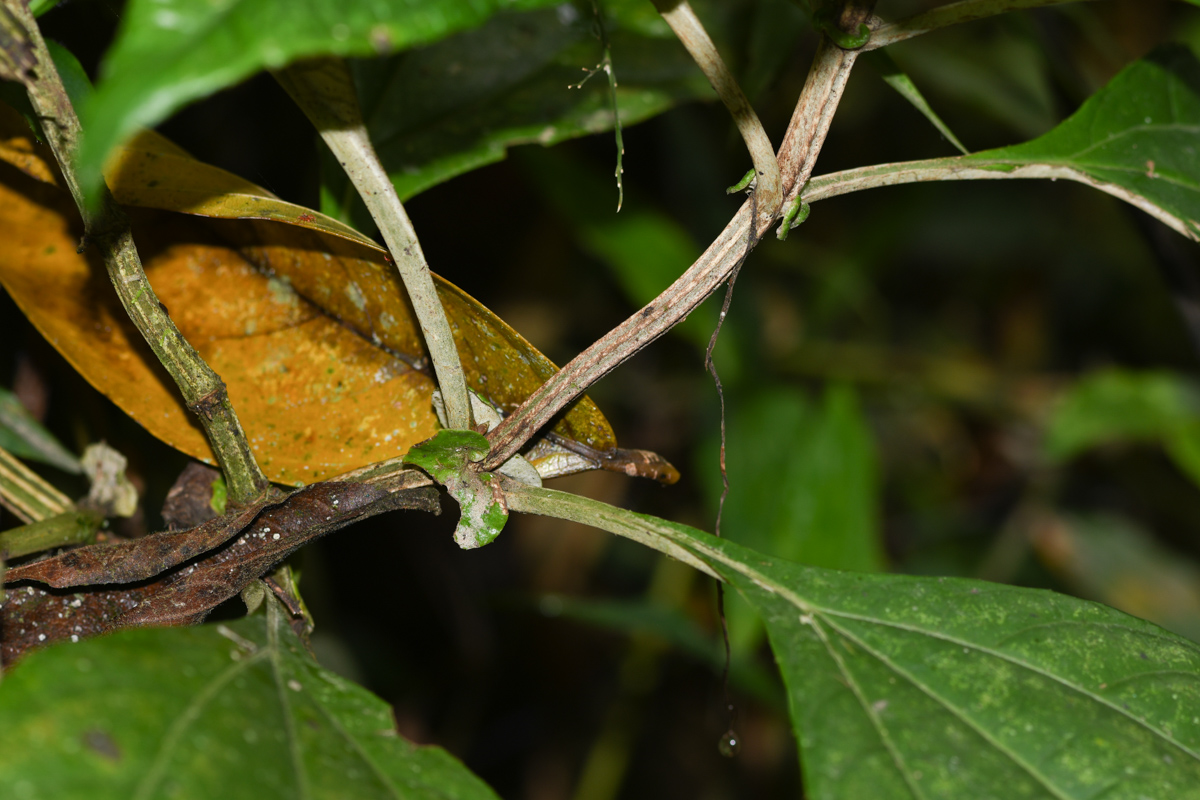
[{"x": 931, "y": 689}]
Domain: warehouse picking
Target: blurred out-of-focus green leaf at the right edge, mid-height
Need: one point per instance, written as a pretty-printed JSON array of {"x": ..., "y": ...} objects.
[{"x": 1115, "y": 406}]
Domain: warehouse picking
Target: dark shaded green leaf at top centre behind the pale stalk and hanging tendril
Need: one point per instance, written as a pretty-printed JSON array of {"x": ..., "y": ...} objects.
[{"x": 459, "y": 105}]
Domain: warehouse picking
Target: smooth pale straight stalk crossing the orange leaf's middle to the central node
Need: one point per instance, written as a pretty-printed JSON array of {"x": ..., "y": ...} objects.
[{"x": 326, "y": 93}]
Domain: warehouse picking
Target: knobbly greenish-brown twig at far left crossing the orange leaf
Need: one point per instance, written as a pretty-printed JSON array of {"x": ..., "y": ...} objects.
[{"x": 107, "y": 228}]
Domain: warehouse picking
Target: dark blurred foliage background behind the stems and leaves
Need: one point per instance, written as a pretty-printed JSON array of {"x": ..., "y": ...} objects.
[{"x": 977, "y": 380}]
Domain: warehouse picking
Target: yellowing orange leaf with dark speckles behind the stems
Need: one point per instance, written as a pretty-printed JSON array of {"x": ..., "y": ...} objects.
[{"x": 322, "y": 359}]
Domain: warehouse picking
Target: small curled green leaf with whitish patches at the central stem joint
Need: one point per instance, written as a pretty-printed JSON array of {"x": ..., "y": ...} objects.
[{"x": 448, "y": 460}]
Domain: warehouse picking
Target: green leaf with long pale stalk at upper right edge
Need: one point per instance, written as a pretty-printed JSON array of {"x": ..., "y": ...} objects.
[{"x": 1137, "y": 140}]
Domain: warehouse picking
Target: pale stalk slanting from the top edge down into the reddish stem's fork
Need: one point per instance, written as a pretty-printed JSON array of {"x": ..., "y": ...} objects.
[{"x": 683, "y": 21}]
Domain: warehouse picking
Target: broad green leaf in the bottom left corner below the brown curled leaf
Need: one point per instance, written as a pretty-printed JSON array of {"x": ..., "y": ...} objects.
[{"x": 231, "y": 711}]
